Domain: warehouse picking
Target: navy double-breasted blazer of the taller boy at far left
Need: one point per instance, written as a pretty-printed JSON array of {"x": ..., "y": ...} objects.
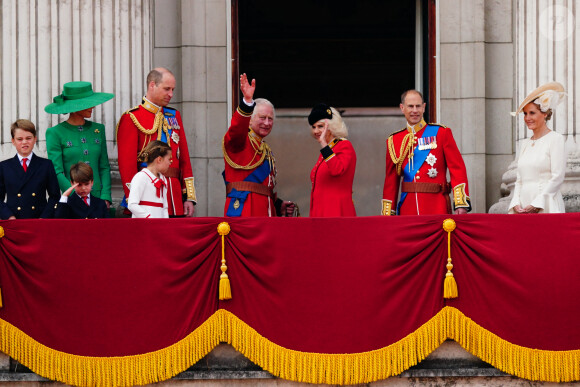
[{"x": 25, "y": 192}]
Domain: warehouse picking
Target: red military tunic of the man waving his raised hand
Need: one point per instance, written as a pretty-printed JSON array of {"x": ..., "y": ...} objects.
[{"x": 242, "y": 147}]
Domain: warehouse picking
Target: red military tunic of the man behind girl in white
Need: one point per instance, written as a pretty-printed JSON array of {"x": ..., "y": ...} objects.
[{"x": 143, "y": 124}]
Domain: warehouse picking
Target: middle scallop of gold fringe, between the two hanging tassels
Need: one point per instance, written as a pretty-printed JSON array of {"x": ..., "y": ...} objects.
[{"x": 355, "y": 368}]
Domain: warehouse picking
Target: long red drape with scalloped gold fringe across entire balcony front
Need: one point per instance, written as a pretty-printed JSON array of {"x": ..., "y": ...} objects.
[{"x": 120, "y": 288}]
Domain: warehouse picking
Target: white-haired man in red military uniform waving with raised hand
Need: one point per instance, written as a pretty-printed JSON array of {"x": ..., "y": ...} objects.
[{"x": 250, "y": 167}]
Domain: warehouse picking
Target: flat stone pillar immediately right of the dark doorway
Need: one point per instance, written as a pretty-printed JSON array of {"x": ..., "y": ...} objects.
[{"x": 462, "y": 86}]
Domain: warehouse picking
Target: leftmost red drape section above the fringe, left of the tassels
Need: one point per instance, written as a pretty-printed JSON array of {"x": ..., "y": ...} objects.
[{"x": 108, "y": 287}]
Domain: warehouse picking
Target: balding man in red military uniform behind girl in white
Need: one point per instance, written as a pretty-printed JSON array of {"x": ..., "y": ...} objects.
[{"x": 154, "y": 120}]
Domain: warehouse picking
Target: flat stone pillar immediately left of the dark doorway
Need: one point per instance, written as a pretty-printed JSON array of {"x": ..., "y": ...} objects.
[{"x": 191, "y": 39}]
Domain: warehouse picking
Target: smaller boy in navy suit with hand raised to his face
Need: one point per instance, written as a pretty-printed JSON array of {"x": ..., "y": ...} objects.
[{"x": 80, "y": 204}]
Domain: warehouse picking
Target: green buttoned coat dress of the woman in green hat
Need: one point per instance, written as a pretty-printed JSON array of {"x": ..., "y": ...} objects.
[{"x": 68, "y": 144}]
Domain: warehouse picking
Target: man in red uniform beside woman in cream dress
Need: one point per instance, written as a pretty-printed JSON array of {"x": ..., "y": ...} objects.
[{"x": 420, "y": 154}]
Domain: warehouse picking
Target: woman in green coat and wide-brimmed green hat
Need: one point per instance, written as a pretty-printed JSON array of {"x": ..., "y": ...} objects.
[{"x": 78, "y": 139}]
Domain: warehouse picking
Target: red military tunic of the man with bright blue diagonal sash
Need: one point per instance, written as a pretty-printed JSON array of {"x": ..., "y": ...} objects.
[{"x": 445, "y": 155}]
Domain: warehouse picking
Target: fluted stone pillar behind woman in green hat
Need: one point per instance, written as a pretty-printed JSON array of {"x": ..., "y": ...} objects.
[{"x": 45, "y": 44}]
